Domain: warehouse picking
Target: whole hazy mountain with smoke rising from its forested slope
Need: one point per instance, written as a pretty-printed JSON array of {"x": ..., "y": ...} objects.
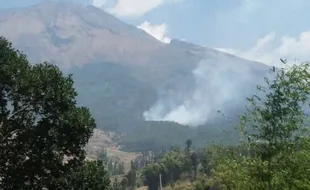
[{"x": 127, "y": 78}]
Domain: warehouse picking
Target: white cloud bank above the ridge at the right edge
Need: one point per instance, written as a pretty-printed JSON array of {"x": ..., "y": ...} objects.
[{"x": 270, "y": 49}]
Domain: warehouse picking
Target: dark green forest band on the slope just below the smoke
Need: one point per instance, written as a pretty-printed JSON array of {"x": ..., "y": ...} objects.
[{"x": 154, "y": 136}]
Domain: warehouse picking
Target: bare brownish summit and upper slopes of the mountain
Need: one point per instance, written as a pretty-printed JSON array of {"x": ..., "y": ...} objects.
[{"x": 71, "y": 34}]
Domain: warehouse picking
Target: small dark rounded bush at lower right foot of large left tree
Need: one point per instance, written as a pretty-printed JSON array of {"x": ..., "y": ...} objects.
[{"x": 92, "y": 175}]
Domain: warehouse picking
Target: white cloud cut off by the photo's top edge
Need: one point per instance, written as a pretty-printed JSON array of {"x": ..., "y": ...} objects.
[{"x": 130, "y": 7}]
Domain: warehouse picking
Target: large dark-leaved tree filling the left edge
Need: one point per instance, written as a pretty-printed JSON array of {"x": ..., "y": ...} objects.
[{"x": 42, "y": 131}]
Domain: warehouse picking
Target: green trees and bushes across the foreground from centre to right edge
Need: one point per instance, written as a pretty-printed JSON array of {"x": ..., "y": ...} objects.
[{"x": 273, "y": 152}]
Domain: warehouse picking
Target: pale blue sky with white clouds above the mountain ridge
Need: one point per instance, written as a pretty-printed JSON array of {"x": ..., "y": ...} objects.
[{"x": 261, "y": 30}]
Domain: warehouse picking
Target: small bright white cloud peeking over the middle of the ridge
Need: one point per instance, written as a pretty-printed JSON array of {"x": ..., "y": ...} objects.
[{"x": 157, "y": 31}]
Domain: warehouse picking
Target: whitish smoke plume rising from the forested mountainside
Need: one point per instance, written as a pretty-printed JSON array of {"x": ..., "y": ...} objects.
[{"x": 222, "y": 83}]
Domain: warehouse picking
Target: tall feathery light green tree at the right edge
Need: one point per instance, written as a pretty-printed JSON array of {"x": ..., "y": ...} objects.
[{"x": 279, "y": 117}]
